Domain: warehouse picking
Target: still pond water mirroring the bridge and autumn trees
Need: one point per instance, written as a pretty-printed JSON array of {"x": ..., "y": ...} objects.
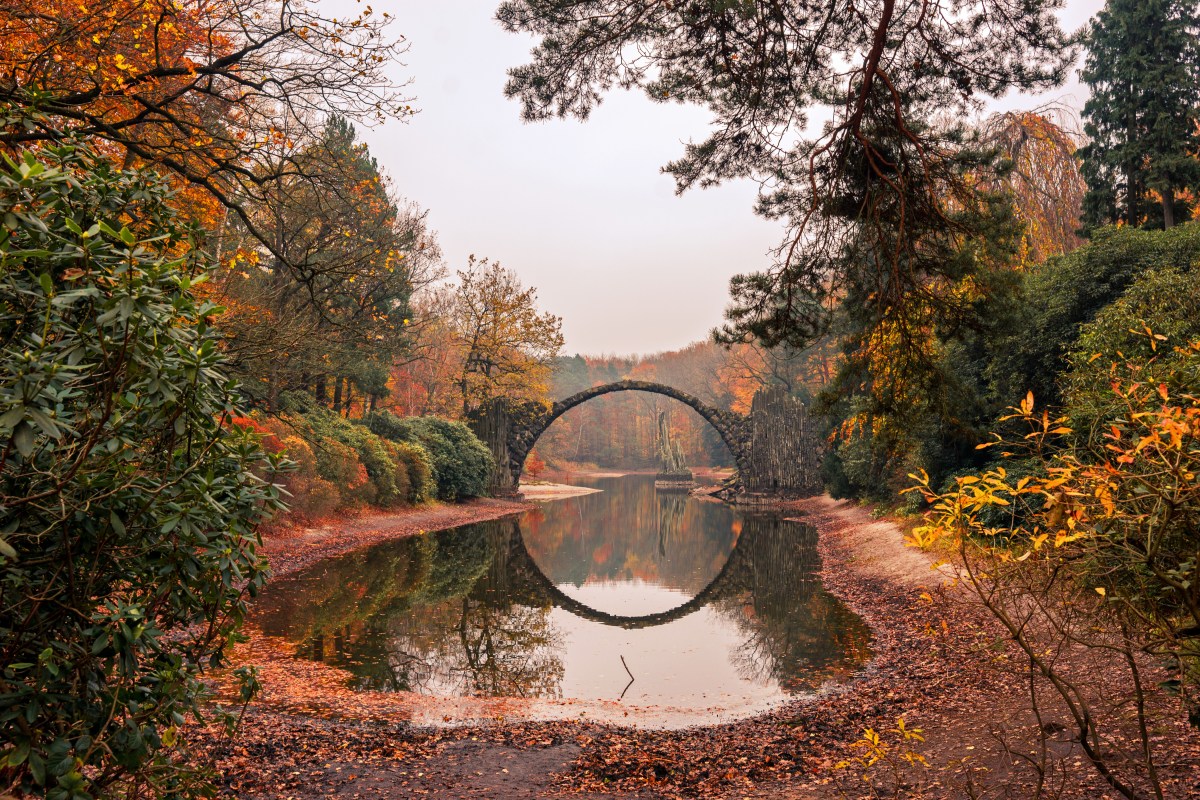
[{"x": 716, "y": 613}]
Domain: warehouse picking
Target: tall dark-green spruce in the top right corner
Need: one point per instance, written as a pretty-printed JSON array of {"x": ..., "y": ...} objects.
[{"x": 1144, "y": 71}]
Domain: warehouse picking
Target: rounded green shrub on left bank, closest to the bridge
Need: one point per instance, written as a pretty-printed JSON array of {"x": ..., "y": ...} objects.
[{"x": 463, "y": 465}]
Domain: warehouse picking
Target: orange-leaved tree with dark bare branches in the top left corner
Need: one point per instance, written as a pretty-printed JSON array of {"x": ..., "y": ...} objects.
[{"x": 215, "y": 92}]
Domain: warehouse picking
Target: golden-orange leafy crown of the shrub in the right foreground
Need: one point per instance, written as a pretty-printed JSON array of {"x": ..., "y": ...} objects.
[{"x": 1118, "y": 514}]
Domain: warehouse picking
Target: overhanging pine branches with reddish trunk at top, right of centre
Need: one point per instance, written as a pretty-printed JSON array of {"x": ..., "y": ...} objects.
[{"x": 875, "y": 182}]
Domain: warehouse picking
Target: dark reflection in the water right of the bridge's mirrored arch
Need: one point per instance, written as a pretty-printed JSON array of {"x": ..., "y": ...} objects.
[{"x": 795, "y": 631}]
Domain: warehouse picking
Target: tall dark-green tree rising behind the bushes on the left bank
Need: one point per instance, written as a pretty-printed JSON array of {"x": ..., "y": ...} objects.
[{"x": 337, "y": 303}]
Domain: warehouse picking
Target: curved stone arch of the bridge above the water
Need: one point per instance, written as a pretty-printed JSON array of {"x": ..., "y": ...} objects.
[{"x": 524, "y": 434}]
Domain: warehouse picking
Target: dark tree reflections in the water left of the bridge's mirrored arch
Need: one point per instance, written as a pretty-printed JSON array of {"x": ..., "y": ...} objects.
[{"x": 425, "y": 615}]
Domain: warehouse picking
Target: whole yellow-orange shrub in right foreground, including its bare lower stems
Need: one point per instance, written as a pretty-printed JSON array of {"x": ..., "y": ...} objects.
[{"x": 1105, "y": 532}]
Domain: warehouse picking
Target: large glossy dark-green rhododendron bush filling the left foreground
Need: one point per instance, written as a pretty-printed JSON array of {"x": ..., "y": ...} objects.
[{"x": 129, "y": 509}]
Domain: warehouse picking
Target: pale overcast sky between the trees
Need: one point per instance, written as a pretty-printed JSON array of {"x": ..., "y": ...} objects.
[{"x": 580, "y": 210}]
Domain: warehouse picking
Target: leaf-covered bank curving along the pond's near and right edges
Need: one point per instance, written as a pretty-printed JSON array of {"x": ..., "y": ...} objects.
[{"x": 939, "y": 665}]
